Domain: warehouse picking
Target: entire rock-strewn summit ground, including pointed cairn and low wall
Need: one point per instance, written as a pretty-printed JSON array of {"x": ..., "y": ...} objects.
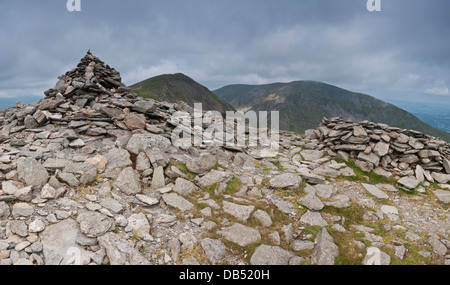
[{"x": 90, "y": 176}]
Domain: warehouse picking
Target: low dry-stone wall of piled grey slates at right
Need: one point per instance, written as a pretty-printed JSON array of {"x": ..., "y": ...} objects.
[{"x": 387, "y": 150}]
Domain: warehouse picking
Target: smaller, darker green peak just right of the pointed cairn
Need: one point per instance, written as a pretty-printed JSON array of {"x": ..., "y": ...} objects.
[{"x": 179, "y": 87}]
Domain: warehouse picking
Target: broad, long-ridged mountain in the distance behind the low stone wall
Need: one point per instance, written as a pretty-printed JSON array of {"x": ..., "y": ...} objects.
[{"x": 303, "y": 104}]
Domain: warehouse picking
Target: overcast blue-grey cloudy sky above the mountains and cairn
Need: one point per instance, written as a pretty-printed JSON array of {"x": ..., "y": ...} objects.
[{"x": 401, "y": 52}]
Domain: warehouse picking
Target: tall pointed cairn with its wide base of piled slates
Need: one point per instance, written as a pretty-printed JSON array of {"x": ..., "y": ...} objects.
[{"x": 88, "y": 100}]
